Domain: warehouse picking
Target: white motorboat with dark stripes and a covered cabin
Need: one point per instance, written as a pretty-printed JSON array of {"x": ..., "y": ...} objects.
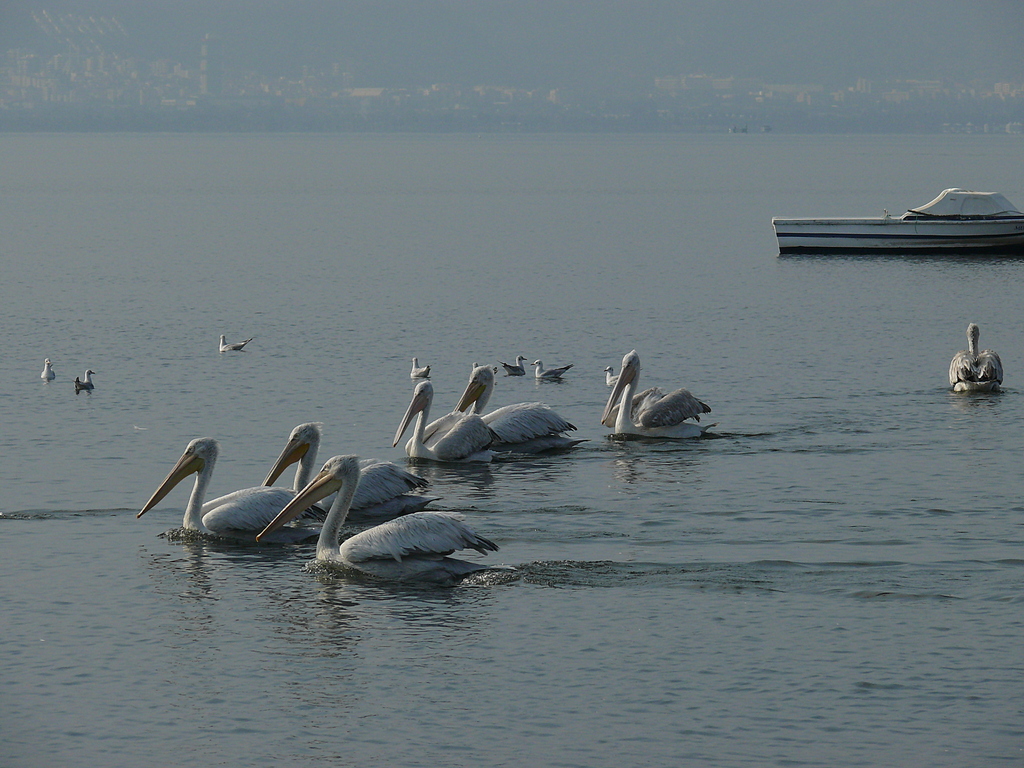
[{"x": 957, "y": 221}]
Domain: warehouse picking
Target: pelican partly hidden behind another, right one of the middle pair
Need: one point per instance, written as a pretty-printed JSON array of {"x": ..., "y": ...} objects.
[{"x": 523, "y": 428}]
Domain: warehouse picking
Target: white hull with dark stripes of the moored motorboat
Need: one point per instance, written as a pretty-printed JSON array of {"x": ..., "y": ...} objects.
[{"x": 881, "y": 235}]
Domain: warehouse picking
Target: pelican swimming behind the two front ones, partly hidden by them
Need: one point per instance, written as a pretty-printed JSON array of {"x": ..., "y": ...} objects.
[{"x": 385, "y": 487}]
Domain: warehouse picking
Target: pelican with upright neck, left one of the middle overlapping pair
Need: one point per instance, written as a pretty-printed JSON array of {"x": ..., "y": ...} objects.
[{"x": 459, "y": 439}]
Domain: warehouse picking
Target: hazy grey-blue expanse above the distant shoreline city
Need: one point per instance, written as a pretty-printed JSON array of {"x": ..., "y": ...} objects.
[{"x": 577, "y": 42}]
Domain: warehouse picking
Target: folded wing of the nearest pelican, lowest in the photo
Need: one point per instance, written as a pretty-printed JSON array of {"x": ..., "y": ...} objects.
[{"x": 432, "y": 535}]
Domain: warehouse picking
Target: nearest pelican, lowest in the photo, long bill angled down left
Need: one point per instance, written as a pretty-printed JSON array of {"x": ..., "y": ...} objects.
[{"x": 413, "y": 548}]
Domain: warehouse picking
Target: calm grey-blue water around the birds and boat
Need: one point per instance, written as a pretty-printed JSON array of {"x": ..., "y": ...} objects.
[{"x": 834, "y": 580}]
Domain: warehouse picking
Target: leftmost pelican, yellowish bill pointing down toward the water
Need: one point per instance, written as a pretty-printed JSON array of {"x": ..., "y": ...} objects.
[{"x": 238, "y": 516}]
